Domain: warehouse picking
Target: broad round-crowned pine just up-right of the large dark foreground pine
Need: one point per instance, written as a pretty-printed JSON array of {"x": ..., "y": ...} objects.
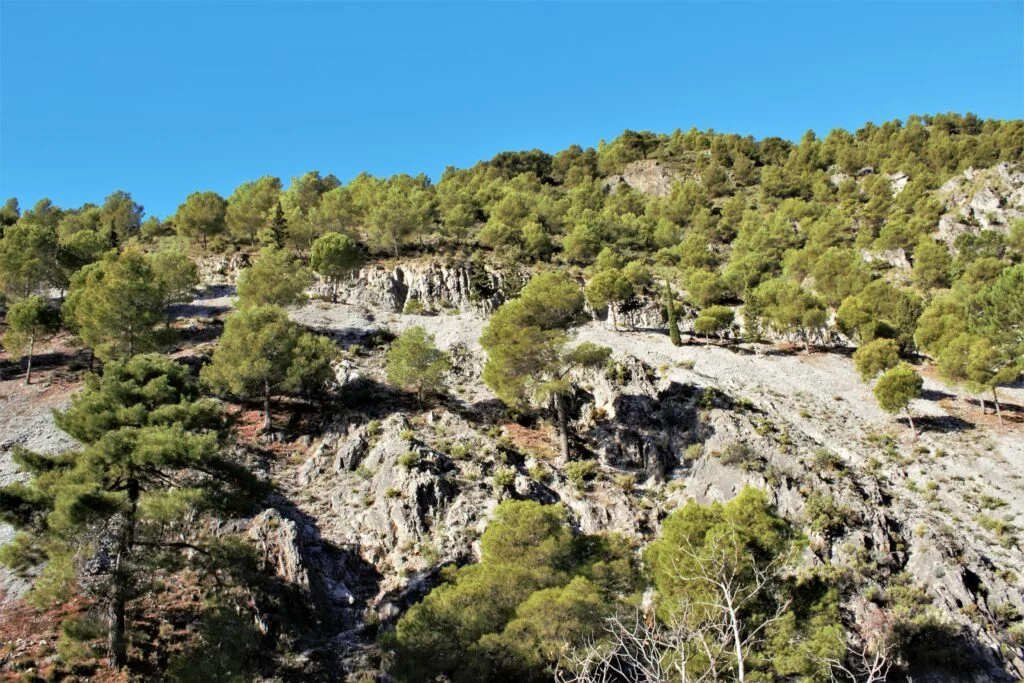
[{"x": 263, "y": 355}]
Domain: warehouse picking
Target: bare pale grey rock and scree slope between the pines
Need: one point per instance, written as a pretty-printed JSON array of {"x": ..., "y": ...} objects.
[{"x": 379, "y": 492}]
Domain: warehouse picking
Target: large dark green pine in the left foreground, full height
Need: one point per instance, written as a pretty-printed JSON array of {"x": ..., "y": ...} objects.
[{"x": 113, "y": 515}]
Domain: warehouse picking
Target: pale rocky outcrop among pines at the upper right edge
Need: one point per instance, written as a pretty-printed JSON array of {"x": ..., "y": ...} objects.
[{"x": 983, "y": 199}]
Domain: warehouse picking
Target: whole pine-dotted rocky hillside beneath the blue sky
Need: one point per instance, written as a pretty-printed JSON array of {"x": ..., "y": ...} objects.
[{"x": 784, "y": 262}]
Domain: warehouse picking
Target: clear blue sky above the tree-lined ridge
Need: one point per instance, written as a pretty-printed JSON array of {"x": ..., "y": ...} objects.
[{"x": 164, "y": 99}]
